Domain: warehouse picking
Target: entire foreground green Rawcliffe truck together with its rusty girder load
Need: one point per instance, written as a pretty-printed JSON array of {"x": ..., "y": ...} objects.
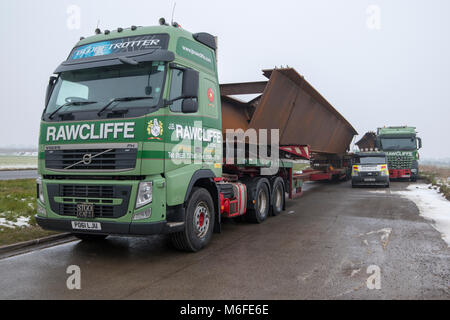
[{"x": 132, "y": 139}]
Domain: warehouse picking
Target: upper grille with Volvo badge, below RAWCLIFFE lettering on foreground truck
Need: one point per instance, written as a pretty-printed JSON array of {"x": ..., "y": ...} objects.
[{"x": 91, "y": 159}]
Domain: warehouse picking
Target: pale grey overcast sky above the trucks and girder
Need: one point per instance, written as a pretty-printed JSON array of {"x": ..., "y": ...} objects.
[{"x": 377, "y": 62}]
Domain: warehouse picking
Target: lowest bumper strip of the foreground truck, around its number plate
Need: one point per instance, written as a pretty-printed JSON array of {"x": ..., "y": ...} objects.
[{"x": 109, "y": 228}]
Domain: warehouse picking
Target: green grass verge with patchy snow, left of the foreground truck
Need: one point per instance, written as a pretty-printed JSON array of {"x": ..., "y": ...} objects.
[{"x": 17, "y": 210}]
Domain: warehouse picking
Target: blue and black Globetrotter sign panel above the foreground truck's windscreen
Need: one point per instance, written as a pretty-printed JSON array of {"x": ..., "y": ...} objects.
[{"x": 129, "y": 44}]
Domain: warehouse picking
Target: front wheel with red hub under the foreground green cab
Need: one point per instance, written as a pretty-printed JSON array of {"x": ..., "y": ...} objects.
[{"x": 198, "y": 223}]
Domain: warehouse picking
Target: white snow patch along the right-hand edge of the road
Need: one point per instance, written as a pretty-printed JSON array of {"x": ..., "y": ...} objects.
[{"x": 432, "y": 206}]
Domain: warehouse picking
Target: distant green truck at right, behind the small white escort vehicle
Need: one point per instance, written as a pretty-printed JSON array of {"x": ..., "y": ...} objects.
[{"x": 401, "y": 145}]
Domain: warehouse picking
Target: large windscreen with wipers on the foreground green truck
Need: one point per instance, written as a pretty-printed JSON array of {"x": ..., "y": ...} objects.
[{"x": 100, "y": 85}]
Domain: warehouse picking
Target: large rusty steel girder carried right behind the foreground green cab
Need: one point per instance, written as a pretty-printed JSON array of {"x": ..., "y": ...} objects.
[{"x": 288, "y": 103}]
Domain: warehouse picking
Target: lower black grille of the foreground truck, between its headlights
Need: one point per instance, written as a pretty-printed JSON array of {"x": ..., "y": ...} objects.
[{"x": 102, "y": 196}]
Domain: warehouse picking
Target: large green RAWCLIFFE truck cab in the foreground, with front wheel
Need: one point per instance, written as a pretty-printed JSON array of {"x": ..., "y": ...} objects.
[{"x": 130, "y": 132}]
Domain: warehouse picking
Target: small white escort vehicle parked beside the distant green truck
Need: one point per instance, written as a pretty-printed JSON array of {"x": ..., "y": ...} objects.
[{"x": 370, "y": 168}]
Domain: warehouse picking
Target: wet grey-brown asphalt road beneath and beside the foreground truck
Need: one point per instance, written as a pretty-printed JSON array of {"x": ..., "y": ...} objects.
[{"x": 320, "y": 248}]
